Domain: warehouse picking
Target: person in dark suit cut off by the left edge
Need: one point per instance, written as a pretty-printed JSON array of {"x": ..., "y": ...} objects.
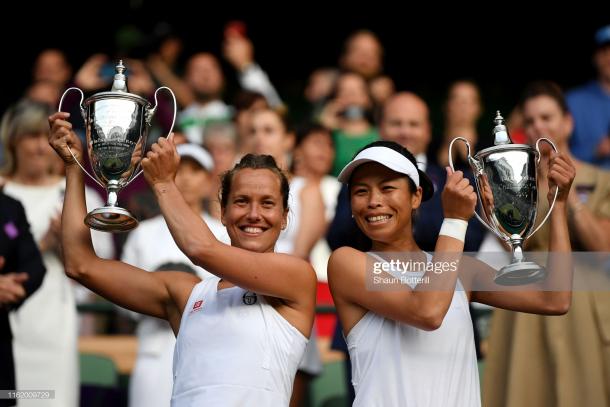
[{"x": 21, "y": 273}]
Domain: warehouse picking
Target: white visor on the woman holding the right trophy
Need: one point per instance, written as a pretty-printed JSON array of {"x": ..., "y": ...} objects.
[{"x": 384, "y": 156}]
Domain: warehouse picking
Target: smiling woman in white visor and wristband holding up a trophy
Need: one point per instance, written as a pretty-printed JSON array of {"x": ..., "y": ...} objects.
[{"x": 412, "y": 344}]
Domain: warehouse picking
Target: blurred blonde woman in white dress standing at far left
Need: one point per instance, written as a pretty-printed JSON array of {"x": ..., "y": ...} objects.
[{"x": 45, "y": 327}]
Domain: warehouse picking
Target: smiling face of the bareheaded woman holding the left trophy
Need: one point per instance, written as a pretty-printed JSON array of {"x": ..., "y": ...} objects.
[{"x": 254, "y": 214}]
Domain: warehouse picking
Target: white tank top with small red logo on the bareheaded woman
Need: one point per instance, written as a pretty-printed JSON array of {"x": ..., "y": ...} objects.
[{"x": 234, "y": 349}]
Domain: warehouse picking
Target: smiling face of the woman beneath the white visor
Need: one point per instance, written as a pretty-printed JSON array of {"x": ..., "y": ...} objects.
[{"x": 382, "y": 203}]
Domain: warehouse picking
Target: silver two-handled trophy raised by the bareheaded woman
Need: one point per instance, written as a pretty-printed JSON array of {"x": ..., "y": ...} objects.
[{"x": 117, "y": 124}]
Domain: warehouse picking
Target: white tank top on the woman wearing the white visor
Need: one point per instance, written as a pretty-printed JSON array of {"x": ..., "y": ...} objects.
[{"x": 399, "y": 365}]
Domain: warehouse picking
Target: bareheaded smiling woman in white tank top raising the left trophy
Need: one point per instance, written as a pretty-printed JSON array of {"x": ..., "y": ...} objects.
[{"x": 240, "y": 334}]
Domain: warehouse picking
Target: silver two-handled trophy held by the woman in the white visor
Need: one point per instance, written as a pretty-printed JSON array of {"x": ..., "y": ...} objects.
[{"x": 507, "y": 186}]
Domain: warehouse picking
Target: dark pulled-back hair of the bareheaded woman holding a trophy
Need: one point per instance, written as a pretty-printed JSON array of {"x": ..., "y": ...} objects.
[{"x": 255, "y": 162}]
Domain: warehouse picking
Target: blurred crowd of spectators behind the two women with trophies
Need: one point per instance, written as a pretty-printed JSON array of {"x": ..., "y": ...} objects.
[{"x": 348, "y": 106}]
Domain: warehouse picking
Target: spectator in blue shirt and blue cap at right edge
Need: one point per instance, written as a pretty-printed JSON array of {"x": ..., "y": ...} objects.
[{"x": 590, "y": 107}]
